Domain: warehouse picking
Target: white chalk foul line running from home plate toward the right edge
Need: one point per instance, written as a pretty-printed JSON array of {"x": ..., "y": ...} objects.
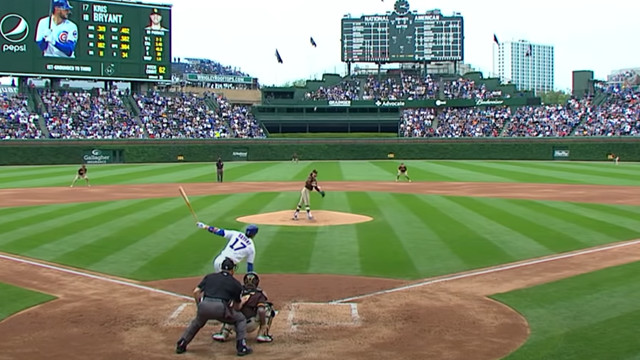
[{"x": 485, "y": 271}]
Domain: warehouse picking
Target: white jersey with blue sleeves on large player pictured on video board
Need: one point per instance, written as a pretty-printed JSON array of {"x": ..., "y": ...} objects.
[{"x": 60, "y": 40}]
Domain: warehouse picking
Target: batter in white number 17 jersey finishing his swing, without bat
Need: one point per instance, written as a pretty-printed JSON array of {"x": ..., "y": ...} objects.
[{"x": 239, "y": 246}]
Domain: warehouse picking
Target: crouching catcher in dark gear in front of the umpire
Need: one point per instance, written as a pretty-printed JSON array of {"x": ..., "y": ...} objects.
[{"x": 257, "y": 309}]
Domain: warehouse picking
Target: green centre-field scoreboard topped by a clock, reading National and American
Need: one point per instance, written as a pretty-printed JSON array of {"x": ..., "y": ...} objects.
[{"x": 402, "y": 36}]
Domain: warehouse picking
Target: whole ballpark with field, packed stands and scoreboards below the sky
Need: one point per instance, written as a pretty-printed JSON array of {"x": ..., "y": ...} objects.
[{"x": 445, "y": 214}]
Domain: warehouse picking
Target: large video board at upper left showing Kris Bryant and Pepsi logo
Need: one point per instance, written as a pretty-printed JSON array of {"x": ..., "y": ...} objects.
[{"x": 86, "y": 39}]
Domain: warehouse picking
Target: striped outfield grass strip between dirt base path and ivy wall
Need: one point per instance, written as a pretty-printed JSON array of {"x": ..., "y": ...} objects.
[{"x": 604, "y": 173}]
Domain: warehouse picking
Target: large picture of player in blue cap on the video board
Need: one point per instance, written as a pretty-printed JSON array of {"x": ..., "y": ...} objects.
[{"x": 56, "y": 35}]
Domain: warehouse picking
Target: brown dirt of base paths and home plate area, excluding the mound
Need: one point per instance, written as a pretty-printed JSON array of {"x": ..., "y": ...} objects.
[{"x": 102, "y": 317}]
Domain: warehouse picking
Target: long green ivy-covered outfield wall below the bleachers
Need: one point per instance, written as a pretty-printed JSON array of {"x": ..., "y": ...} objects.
[{"x": 40, "y": 152}]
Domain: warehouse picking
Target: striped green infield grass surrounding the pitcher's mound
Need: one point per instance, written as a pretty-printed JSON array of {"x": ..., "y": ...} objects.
[{"x": 411, "y": 236}]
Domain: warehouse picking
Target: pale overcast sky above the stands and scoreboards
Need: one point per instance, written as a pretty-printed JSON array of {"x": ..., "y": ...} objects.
[{"x": 595, "y": 35}]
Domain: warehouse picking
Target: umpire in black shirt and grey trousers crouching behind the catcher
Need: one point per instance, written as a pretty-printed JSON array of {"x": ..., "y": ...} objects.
[{"x": 218, "y": 297}]
